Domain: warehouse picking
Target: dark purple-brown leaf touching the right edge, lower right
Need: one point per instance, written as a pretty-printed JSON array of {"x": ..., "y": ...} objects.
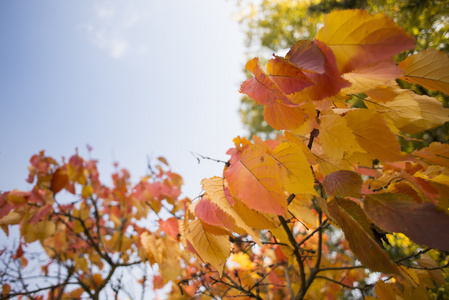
[{"x": 423, "y": 223}]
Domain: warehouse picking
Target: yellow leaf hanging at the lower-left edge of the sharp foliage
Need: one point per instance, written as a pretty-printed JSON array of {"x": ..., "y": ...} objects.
[{"x": 213, "y": 249}]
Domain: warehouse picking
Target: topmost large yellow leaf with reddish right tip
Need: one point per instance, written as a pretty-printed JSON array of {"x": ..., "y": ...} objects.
[{"x": 359, "y": 39}]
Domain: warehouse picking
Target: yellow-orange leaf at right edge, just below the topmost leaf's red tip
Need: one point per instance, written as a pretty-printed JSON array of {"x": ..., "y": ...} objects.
[{"x": 427, "y": 68}]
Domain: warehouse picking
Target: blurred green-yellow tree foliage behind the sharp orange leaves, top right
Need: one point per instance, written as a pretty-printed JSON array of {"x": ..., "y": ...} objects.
[{"x": 275, "y": 25}]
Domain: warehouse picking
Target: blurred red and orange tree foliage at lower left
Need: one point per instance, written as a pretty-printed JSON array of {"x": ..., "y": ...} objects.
[{"x": 94, "y": 237}]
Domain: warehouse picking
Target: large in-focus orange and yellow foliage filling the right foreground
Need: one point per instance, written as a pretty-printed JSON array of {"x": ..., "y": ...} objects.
[{"x": 334, "y": 167}]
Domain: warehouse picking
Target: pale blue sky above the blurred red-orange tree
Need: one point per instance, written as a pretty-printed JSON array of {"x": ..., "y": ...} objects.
[{"x": 130, "y": 78}]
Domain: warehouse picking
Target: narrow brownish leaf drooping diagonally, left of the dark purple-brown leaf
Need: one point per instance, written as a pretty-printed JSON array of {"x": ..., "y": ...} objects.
[{"x": 356, "y": 227}]
